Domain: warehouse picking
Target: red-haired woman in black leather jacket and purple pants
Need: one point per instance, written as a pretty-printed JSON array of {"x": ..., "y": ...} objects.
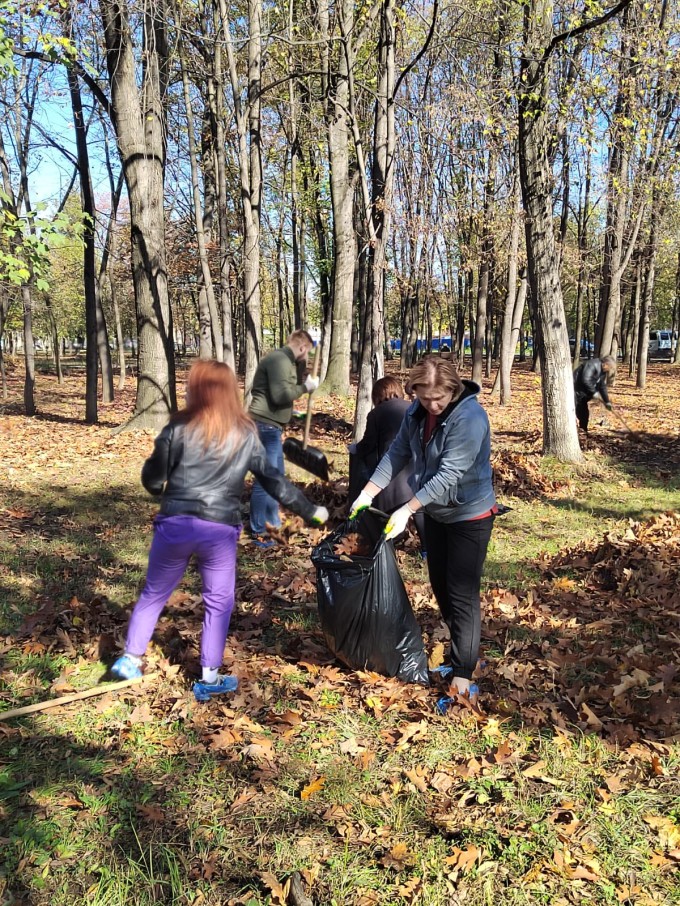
[{"x": 198, "y": 468}]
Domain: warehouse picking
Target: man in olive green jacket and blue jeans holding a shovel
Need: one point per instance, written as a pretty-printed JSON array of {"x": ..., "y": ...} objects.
[{"x": 277, "y": 383}]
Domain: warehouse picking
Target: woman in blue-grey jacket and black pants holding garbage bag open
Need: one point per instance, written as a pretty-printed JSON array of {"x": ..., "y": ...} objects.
[{"x": 445, "y": 434}]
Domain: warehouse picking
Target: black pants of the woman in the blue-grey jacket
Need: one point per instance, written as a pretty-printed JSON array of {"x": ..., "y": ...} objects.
[{"x": 455, "y": 558}]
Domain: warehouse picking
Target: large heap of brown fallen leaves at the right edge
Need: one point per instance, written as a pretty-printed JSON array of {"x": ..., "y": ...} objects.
[{"x": 601, "y": 637}]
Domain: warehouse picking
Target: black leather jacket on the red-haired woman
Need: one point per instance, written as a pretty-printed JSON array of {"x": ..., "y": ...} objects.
[{"x": 193, "y": 481}]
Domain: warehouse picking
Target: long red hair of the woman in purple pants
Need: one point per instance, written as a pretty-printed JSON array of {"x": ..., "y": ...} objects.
[{"x": 214, "y": 407}]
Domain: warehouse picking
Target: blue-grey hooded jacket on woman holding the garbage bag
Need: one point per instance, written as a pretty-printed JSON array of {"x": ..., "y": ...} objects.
[{"x": 452, "y": 475}]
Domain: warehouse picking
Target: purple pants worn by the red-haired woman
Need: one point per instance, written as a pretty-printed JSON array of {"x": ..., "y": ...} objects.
[{"x": 175, "y": 539}]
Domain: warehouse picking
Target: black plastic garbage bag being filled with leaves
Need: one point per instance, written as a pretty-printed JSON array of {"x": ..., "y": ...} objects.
[{"x": 364, "y": 610}]
